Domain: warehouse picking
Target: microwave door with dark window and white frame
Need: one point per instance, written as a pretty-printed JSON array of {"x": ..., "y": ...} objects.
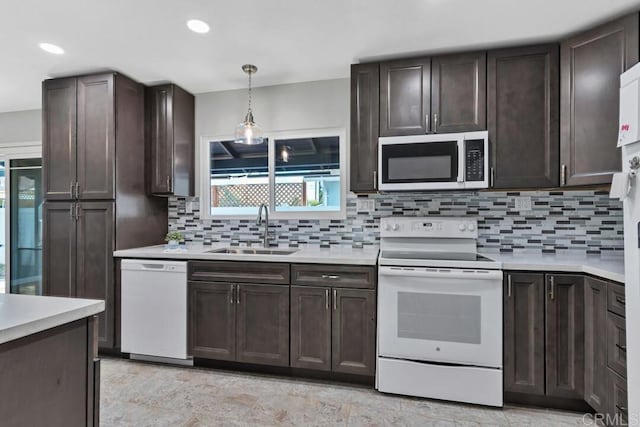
[{"x": 421, "y": 162}]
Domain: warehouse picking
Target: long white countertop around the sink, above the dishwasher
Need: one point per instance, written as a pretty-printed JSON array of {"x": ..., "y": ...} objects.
[{"x": 306, "y": 255}]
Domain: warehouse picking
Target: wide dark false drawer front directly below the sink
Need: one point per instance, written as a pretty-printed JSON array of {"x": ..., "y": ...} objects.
[{"x": 239, "y": 272}]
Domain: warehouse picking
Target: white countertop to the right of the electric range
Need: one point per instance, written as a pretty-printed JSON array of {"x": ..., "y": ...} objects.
[{"x": 607, "y": 267}]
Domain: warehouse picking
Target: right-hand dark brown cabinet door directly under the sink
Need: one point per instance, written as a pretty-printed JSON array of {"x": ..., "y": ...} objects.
[{"x": 263, "y": 324}]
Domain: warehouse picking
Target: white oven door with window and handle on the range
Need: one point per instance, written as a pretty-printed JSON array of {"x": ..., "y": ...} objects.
[{"x": 440, "y": 315}]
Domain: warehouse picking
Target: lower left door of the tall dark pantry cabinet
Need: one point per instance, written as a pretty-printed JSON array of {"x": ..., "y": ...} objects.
[{"x": 59, "y": 249}]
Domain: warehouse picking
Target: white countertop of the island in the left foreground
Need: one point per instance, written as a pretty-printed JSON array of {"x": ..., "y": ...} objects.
[{"x": 23, "y": 315}]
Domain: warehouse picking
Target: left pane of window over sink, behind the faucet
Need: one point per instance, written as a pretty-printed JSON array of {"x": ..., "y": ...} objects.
[{"x": 239, "y": 177}]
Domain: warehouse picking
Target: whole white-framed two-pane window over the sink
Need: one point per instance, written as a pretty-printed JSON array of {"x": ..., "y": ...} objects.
[{"x": 297, "y": 174}]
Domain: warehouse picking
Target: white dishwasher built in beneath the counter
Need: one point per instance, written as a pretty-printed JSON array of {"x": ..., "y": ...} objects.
[{"x": 154, "y": 310}]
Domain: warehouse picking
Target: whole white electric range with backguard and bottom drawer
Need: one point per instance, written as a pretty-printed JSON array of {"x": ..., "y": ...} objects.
[{"x": 439, "y": 312}]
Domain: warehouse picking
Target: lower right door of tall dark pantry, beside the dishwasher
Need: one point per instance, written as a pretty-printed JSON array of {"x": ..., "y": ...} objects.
[{"x": 95, "y": 263}]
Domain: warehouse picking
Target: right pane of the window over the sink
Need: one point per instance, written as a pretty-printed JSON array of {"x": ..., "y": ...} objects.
[{"x": 307, "y": 174}]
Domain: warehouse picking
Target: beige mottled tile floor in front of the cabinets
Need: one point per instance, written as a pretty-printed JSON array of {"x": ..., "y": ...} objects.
[{"x": 142, "y": 394}]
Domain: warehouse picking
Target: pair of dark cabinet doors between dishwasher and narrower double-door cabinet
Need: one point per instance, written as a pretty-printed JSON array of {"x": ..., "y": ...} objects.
[{"x": 239, "y": 322}]
